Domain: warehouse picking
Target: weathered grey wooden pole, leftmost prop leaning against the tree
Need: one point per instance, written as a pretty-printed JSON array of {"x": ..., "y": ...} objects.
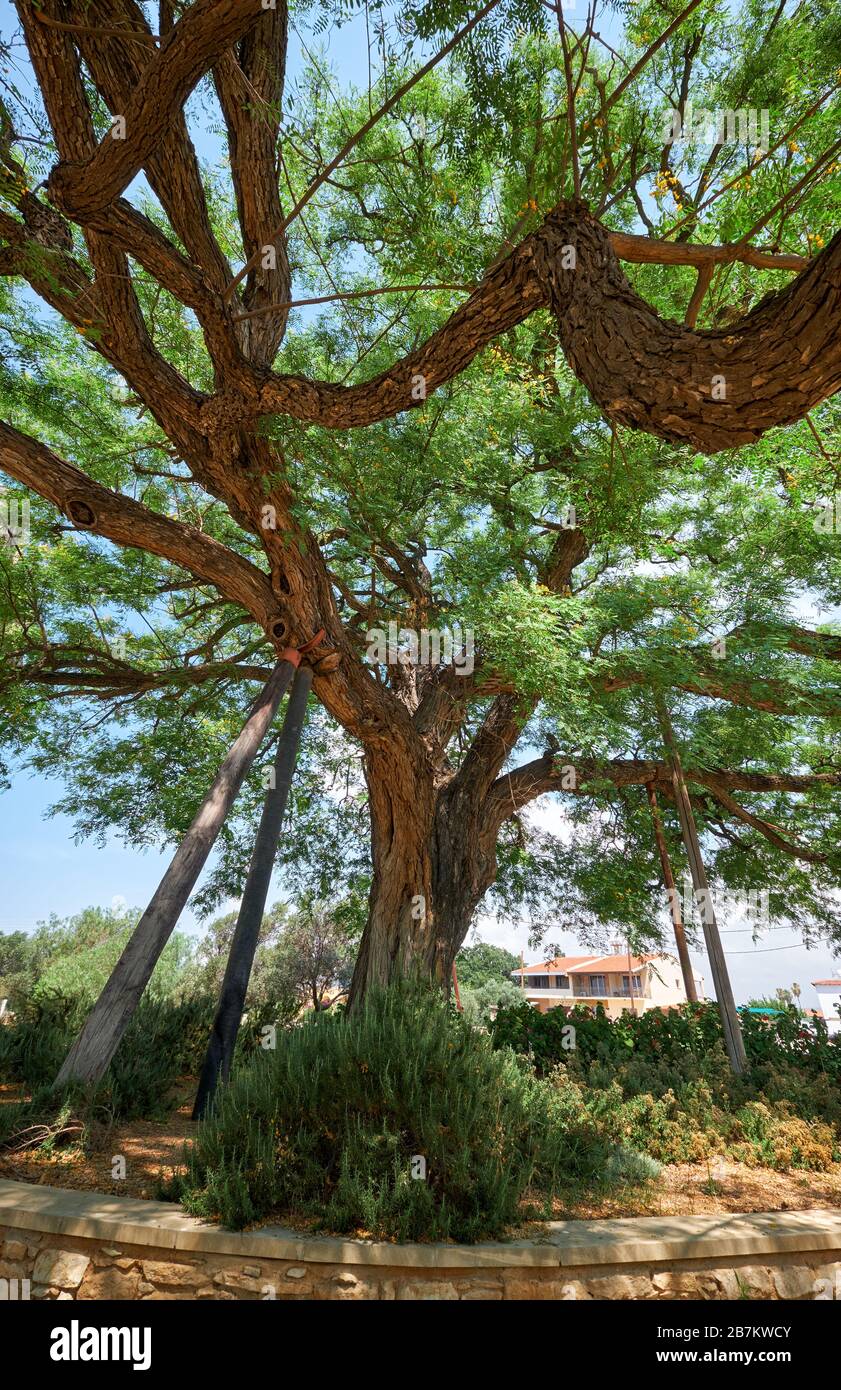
[{"x": 106, "y": 1024}]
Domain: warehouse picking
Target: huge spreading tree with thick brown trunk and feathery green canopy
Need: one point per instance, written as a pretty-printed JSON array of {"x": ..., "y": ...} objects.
[{"x": 491, "y": 425}]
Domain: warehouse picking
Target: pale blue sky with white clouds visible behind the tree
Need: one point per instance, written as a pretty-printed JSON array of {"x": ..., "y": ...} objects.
[{"x": 45, "y": 872}]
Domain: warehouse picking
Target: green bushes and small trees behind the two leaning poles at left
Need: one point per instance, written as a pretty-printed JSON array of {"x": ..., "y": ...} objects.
[{"x": 60, "y": 970}]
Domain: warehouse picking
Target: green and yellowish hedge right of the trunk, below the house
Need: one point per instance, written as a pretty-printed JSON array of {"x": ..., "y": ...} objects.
[{"x": 661, "y": 1082}]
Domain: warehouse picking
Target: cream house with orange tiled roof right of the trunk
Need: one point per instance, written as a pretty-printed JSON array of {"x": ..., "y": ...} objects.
[{"x": 617, "y": 982}]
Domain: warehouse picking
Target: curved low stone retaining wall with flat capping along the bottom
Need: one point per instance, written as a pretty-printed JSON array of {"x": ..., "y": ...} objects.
[{"x": 87, "y": 1248}]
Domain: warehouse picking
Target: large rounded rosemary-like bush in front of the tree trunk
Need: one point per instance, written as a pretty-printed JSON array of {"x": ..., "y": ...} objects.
[{"x": 334, "y": 1121}]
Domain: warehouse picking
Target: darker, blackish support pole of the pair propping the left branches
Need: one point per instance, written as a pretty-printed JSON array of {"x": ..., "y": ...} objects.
[{"x": 238, "y": 972}]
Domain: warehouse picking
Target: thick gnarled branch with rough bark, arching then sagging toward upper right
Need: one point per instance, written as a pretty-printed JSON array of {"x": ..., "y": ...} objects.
[{"x": 714, "y": 390}]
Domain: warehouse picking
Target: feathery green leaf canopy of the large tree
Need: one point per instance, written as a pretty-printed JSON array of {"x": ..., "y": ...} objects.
[{"x": 471, "y": 489}]
